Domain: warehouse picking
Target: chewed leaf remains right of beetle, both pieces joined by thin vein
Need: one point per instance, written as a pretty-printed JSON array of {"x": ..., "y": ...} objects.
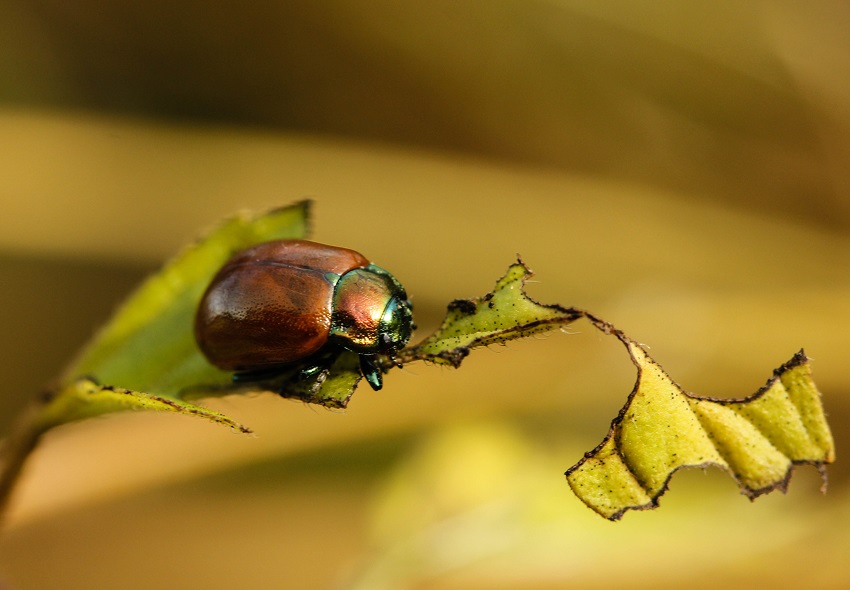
[{"x": 662, "y": 428}]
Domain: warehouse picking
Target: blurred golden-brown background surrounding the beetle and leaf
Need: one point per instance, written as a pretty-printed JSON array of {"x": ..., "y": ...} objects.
[{"x": 680, "y": 169}]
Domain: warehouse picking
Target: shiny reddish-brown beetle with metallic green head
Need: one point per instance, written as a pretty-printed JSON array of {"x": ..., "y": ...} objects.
[{"x": 294, "y": 302}]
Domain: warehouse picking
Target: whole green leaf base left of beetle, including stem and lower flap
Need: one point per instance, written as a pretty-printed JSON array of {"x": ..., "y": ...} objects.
[{"x": 145, "y": 358}]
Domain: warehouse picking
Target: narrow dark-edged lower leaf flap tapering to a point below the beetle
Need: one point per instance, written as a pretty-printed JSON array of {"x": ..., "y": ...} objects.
[{"x": 84, "y": 398}]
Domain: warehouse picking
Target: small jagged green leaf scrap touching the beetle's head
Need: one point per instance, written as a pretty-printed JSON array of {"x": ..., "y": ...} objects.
[{"x": 505, "y": 314}]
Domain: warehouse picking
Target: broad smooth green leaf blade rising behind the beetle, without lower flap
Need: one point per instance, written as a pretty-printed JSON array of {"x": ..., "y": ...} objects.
[{"x": 148, "y": 345}]
